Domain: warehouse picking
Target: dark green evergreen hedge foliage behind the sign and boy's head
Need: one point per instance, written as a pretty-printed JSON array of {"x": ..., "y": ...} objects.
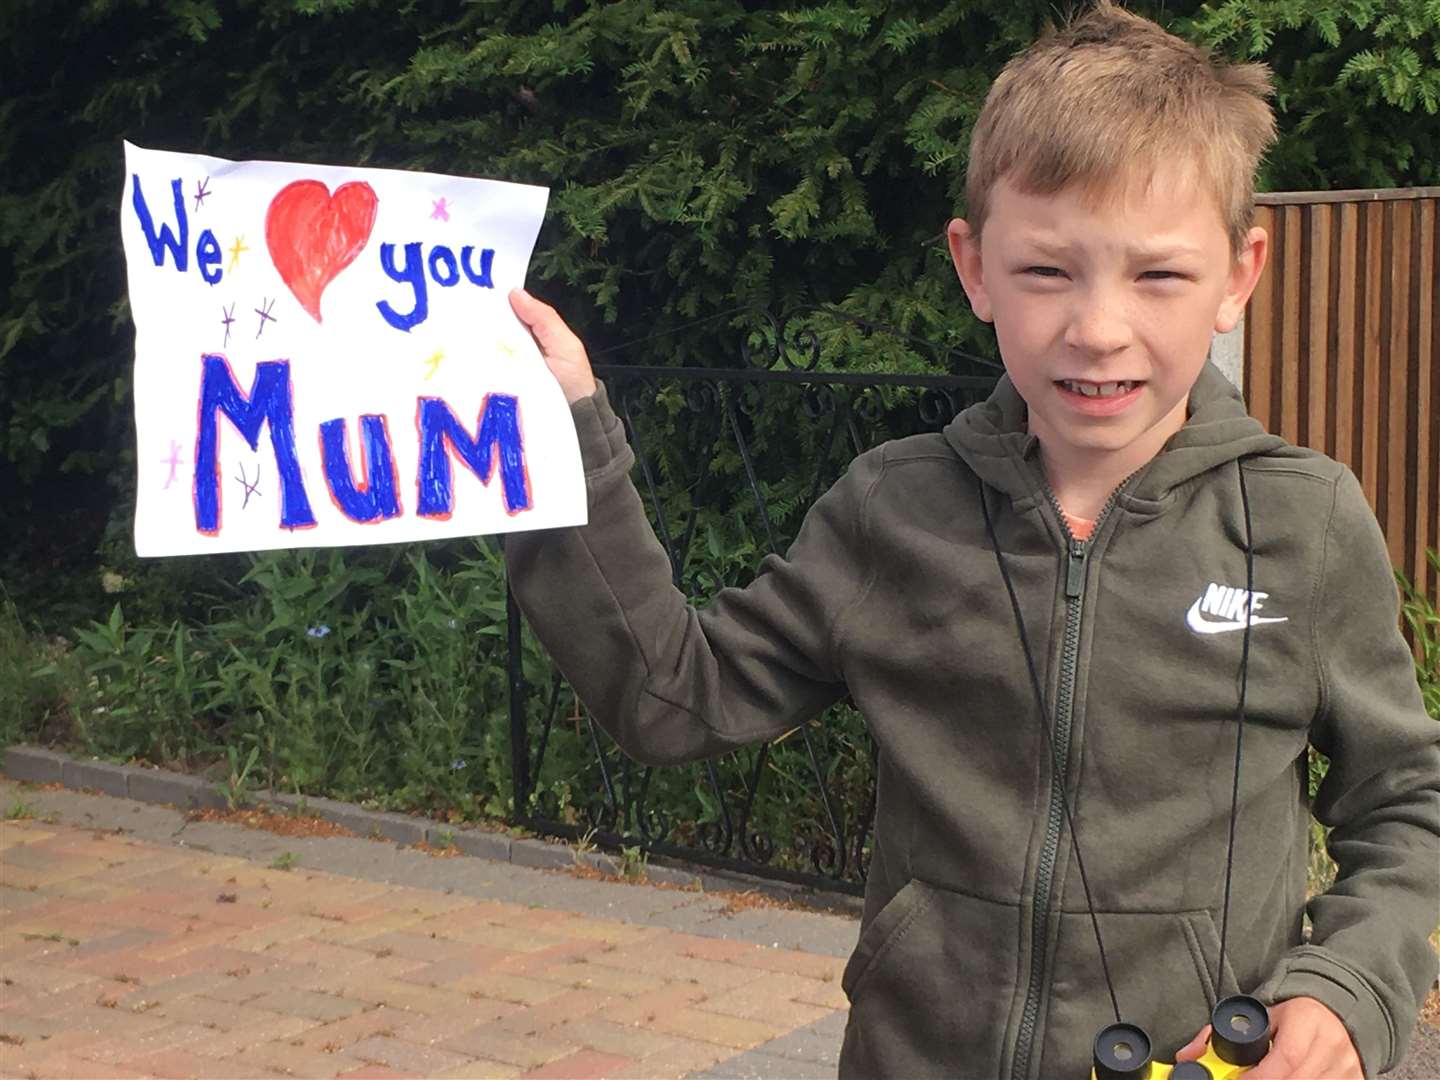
[{"x": 705, "y": 156}]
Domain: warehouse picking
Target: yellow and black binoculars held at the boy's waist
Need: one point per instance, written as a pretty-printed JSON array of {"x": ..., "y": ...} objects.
[{"x": 1241, "y": 1038}]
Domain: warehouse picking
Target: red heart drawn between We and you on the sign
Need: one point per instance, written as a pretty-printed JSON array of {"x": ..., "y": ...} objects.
[{"x": 313, "y": 235}]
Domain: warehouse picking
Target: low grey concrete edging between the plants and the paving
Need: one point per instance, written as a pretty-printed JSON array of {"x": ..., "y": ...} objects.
[{"x": 40, "y": 765}]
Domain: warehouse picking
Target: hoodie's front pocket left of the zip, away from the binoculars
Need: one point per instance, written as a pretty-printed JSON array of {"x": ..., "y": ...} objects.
[{"x": 930, "y": 986}]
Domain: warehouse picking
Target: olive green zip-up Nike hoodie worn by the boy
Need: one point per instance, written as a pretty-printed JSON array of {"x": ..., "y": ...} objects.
[{"x": 977, "y": 955}]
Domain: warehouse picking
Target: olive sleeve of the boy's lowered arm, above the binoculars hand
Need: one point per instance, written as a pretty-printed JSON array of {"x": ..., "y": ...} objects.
[{"x": 1369, "y": 958}]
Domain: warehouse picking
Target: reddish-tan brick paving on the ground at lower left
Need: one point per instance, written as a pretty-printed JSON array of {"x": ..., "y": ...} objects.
[{"x": 125, "y": 958}]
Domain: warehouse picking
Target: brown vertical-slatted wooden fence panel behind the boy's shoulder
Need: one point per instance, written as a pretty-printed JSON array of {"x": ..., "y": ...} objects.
[{"x": 1343, "y": 341}]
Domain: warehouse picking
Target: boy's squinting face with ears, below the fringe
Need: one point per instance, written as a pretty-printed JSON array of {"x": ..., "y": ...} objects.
[{"x": 1105, "y": 313}]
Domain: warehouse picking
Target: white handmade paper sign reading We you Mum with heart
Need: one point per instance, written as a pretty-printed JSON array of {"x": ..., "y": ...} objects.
[{"x": 328, "y": 356}]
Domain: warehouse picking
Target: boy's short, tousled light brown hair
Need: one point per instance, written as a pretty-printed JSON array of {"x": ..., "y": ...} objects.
[{"x": 1105, "y": 100}]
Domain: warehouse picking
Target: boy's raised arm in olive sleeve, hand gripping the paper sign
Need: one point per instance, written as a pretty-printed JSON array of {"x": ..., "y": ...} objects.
[{"x": 672, "y": 683}]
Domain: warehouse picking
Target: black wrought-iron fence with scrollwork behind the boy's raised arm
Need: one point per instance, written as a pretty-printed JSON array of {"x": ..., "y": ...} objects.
[{"x": 728, "y": 462}]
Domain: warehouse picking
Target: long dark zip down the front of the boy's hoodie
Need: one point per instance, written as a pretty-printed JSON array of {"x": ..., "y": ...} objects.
[{"x": 1078, "y": 554}]
